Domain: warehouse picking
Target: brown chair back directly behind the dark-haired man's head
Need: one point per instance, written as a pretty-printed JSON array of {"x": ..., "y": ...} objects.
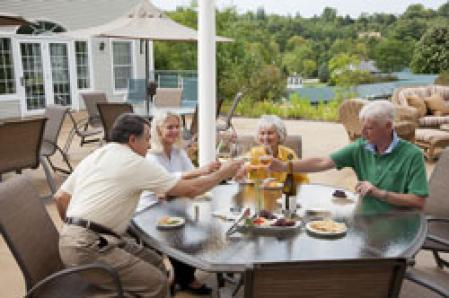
[{"x": 109, "y": 112}]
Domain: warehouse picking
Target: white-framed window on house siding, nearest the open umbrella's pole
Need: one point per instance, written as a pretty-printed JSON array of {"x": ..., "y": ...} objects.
[{"x": 122, "y": 63}]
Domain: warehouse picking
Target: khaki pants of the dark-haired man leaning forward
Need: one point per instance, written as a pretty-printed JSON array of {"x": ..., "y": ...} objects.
[{"x": 140, "y": 269}]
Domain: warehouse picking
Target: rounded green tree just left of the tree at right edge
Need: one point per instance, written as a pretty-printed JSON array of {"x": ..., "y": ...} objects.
[{"x": 392, "y": 55}]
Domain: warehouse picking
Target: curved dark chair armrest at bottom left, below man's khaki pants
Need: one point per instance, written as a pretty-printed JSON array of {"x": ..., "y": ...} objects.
[{"x": 77, "y": 269}]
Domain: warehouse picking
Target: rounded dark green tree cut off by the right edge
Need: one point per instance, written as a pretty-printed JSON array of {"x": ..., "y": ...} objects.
[{"x": 431, "y": 53}]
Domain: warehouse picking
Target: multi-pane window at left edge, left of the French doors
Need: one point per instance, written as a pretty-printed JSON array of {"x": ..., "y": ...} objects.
[{"x": 7, "y": 82}]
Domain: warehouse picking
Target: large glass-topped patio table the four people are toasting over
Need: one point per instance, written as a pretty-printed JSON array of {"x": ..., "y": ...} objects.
[{"x": 202, "y": 241}]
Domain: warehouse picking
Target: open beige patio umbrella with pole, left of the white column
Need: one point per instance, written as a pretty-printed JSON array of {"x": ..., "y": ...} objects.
[{"x": 143, "y": 22}]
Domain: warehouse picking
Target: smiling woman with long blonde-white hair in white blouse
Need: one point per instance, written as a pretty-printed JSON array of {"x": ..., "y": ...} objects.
[{"x": 167, "y": 151}]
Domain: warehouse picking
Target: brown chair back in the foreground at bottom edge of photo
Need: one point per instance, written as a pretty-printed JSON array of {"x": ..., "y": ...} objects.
[{"x": 329, "y": 278}]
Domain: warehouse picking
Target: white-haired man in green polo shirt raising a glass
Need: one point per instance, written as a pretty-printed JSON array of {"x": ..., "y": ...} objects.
[{"x": 391, "y": 171}]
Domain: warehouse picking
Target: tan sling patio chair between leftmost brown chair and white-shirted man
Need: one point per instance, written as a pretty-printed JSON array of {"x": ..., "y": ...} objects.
[{"x": 55, "y": 115}]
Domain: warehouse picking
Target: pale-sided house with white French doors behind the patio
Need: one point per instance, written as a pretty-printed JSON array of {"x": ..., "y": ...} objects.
[{"x": 39, "y": 67}]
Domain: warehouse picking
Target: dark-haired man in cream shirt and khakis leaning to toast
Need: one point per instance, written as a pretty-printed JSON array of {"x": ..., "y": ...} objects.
[{"x": 98, "y": 200}]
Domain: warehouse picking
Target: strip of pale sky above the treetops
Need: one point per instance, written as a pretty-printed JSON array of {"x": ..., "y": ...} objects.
[{"x": 308, "y": 8}]
